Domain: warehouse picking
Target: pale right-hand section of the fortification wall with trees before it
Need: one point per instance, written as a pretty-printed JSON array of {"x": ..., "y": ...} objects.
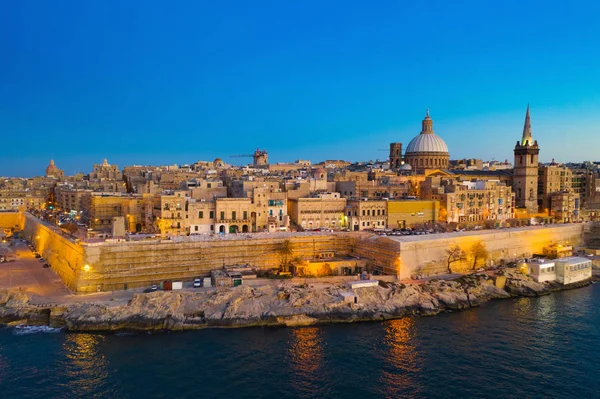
[{"x": 427, "y": 254}]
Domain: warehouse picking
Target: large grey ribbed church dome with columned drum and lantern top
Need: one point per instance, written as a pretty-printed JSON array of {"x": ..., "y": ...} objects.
[{"x": 427, "y": 150}]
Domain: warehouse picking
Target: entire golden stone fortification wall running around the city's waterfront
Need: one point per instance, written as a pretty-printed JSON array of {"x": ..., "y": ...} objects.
[{"x": 106, "y": 266}]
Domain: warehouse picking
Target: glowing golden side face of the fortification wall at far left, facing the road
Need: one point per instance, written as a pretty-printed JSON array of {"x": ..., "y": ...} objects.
[{"x": 64, "y": 255}]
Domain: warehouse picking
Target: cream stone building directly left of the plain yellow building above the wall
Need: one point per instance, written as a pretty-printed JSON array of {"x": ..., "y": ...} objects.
[{"x": 363, "y": 214}]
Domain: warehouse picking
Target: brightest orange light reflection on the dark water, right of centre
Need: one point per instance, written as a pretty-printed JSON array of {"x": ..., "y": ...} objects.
[{"x": 402, "y": 365}]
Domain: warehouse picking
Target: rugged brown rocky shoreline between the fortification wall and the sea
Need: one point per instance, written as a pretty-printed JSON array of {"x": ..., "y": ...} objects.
[{"x": 281, "y": 305}]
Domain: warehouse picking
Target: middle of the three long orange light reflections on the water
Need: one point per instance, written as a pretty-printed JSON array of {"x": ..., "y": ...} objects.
[{"x": 306, "y": 353}]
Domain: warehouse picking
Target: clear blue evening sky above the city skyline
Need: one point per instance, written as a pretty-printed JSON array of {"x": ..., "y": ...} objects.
[{"x": 152, "y": 82}]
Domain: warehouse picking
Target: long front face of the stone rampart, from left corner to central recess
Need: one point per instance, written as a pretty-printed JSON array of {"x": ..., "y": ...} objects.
[{"x": 137, "y": 264}]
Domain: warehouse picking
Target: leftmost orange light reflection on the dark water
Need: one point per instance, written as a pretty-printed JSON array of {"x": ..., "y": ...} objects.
[{"x": 86, "y": 367}]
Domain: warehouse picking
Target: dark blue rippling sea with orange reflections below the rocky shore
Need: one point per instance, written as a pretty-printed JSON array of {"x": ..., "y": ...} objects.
[{"x": 524, "y": 348}]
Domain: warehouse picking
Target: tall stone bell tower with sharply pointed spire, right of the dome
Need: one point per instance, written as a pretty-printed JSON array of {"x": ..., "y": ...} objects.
[{"x": 525, "y": 172}]
